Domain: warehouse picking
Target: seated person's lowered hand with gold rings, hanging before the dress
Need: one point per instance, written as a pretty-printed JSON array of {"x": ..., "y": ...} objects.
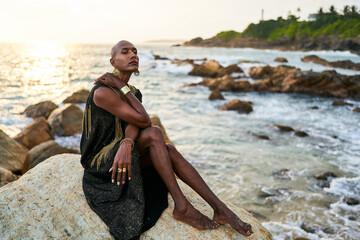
[{"x": 122, "y": 161}]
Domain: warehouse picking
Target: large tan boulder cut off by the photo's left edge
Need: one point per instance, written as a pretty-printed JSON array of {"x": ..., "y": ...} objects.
[{"x": 12, "y": 153}]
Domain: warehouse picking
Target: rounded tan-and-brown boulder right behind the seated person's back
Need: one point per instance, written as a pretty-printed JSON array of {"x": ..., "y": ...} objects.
[{"x": 66, "y": 121}]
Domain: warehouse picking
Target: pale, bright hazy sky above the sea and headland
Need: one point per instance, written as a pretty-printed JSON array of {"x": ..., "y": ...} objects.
[{"x": 107, "y": 21}]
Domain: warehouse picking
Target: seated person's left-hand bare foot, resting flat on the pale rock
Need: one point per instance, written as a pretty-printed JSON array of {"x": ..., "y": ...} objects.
[{"x": 193, "y": 217}]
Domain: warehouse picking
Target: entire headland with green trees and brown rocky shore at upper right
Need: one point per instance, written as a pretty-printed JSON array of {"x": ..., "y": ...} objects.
[{"x": 292, "y": 34}]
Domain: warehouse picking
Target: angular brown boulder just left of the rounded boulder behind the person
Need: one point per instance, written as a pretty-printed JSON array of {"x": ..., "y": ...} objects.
[{"x": 35, "y": 133}]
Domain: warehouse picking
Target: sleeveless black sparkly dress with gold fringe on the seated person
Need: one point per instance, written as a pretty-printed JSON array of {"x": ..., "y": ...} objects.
[{"x": 129, "y": 209}]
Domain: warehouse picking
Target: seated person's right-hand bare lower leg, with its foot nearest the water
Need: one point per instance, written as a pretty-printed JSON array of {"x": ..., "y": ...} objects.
[{"x": 188, "y": 174}]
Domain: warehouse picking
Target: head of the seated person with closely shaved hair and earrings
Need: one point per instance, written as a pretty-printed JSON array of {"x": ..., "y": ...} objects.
[{"x": 126, "y": 58}]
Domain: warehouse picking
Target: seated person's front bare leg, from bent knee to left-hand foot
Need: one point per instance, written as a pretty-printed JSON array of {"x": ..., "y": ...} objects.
[{"x": 151, "y": 141}]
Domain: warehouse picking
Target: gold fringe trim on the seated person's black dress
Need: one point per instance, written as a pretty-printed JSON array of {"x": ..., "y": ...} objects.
[{"x": 104, "y": 152}]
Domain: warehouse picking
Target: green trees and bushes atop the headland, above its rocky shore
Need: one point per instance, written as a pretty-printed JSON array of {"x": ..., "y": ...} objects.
[{"x": 324, "y": 23}]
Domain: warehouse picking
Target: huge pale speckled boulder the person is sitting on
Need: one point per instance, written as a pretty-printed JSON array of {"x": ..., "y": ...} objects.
[{"x": 30, "y": 208}]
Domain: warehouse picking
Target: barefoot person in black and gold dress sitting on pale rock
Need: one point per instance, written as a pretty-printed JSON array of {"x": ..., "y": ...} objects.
[{"x": 128, "y": 167}]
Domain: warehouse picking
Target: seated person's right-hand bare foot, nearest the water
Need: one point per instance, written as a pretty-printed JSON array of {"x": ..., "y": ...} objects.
[{"x": 225, "y": 215}]
